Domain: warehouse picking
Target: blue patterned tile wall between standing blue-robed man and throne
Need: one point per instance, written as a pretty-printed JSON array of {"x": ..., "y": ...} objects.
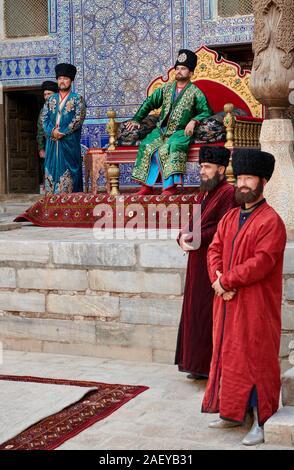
[{"x": 119, "y": 47}]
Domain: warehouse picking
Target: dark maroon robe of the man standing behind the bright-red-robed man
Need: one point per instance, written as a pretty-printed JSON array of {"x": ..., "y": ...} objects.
[{"x": 194, "y": 345}]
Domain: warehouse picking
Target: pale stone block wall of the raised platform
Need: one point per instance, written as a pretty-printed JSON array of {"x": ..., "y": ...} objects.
[{"x": 65, "y": 291}]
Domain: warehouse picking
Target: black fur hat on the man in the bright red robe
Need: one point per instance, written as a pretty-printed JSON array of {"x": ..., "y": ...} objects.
[{"x": 253, "y": 162}]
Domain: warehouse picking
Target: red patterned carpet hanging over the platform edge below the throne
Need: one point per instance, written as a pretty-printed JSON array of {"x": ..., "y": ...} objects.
[{"x": 77, "y": 210}]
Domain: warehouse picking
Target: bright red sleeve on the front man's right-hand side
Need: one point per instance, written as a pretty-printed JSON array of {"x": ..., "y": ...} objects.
[{"x": 270, "y": 243}]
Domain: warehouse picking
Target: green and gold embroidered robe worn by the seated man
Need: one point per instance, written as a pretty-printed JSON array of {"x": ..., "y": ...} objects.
[{"x": 168, "y": 137}]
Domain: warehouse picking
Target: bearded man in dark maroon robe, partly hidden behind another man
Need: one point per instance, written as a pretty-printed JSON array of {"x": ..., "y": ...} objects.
[{"x": 194, "y": 345}]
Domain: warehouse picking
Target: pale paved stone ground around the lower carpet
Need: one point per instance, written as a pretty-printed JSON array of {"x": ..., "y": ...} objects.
[{"x": 165, "y": 417}]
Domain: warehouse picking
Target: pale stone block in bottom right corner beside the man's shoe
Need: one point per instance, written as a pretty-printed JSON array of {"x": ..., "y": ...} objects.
[{"x": 279, "y": 429}]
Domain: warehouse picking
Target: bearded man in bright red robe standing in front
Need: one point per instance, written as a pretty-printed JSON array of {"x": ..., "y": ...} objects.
[{"x": 245, "y": 263}]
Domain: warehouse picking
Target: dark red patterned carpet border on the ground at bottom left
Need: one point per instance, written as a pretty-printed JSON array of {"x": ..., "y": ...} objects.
[{"x": 52, "y": 431}]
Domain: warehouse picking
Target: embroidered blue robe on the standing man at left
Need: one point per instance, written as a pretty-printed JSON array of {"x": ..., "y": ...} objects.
[{"x": 63, "y": 161}]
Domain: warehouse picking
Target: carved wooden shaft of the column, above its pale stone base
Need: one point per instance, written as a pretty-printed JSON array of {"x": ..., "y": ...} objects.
[{"x": 273, "y": 46}]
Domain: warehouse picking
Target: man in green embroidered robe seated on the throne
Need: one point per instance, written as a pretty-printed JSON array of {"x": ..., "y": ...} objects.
[{"x": 164, "y": 151}]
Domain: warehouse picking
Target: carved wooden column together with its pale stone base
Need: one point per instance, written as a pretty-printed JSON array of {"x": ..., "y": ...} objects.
[{"x": 272, "y": 73}]
